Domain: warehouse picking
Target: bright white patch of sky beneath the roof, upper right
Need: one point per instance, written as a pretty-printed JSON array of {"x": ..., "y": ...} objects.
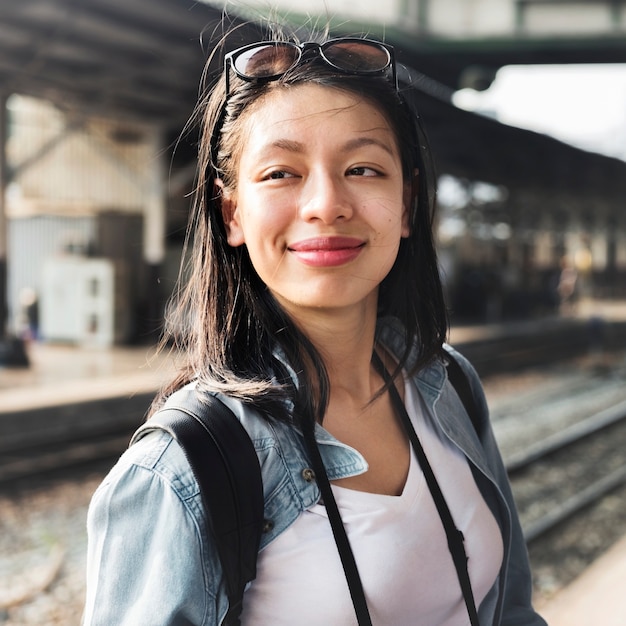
[{"x": 583, "y": 104}]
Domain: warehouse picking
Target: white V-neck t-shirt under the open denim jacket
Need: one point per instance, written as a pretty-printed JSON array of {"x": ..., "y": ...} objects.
[{"x": 399, "y": 545}]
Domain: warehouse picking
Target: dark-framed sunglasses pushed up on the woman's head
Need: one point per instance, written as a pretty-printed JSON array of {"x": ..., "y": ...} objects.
[{"x": 267, "y": 61}]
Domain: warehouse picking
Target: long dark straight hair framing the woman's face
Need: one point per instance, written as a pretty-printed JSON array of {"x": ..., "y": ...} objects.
[{"x": 232, "y": 334}]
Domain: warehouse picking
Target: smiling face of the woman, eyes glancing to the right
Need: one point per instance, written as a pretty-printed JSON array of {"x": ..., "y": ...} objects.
[{"x": 320, "y": 200}]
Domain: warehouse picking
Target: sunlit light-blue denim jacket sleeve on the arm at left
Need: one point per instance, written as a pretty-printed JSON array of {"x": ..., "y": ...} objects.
[{"x": 149, "y": 560}]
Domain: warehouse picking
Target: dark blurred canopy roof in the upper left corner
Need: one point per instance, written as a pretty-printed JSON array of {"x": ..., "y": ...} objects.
[{"x": 131, "y": 59}]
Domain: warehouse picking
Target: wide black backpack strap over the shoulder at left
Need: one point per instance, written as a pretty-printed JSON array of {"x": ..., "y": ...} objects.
[{"x": 224, "y": 461}]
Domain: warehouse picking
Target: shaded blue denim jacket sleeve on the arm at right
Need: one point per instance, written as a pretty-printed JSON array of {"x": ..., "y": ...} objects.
[{"x": 516, "y": 602}]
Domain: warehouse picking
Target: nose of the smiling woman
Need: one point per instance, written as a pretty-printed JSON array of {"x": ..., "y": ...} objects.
[{"x": 325, "y": 198}]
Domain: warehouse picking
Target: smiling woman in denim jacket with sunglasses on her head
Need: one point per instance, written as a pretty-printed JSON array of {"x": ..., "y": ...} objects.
[{"x": 314, "y": 309}]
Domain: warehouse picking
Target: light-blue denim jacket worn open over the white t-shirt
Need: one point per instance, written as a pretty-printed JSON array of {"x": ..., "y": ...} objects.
[{"x": 151, "y": 561}]
